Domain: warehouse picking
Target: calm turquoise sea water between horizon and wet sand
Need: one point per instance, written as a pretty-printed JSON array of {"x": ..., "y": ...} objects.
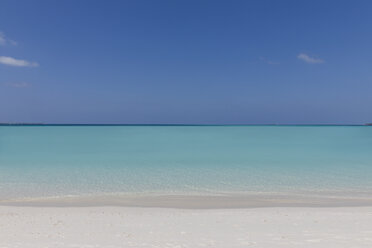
[{"x": 44, "y": 161}]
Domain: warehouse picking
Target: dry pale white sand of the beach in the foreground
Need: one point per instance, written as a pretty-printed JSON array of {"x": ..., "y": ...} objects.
[{"x": 160, "y": 227}]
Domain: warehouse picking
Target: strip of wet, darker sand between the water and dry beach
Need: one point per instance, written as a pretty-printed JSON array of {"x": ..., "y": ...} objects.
[{"x": 228, "y": 201}]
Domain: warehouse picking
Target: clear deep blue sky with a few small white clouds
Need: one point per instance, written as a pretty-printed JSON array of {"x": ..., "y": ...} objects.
[{"x": 186, "y": 62}]
